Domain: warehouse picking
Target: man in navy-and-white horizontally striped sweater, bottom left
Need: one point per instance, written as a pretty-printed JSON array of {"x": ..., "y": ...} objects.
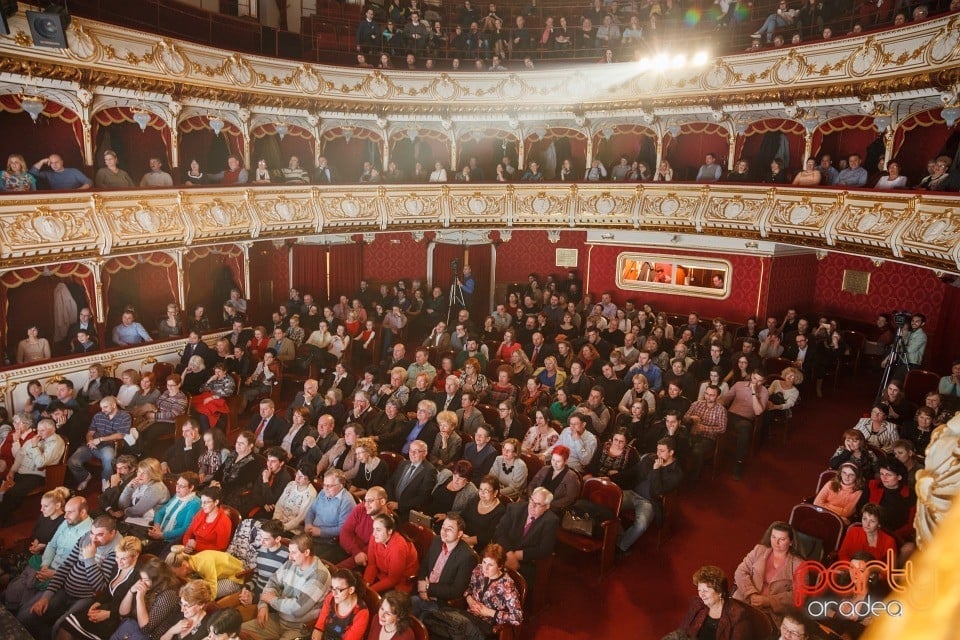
[{"x": 87, "y": 570}]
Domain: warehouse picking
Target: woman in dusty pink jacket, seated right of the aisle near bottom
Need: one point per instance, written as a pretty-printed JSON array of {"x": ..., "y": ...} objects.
[{"x": 765, "y": 576}]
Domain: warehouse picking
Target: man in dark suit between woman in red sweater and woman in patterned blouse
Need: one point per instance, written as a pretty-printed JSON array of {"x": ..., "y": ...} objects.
[{"x": 438, "y": 584}]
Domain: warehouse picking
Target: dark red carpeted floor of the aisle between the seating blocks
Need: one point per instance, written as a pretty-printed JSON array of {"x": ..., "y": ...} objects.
[{"x": 648, "y": 592}]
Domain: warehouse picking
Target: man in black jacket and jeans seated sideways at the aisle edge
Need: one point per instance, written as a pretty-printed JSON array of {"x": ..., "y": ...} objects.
[{"x": 653, "y": 477}]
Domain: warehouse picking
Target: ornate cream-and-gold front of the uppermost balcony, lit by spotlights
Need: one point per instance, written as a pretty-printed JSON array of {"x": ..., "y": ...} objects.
[{"x": 897, "y": 59}]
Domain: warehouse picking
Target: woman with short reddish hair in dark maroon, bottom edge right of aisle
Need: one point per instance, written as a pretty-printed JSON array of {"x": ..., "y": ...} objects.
[{"x": 713, "y": 613}]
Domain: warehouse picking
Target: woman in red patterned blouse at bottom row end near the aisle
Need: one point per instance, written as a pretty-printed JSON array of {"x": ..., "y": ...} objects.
[{"x": 492, "y": 597}]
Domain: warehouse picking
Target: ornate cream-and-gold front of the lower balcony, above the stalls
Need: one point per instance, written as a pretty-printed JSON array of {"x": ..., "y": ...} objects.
[{"x": 39, "y": 228}]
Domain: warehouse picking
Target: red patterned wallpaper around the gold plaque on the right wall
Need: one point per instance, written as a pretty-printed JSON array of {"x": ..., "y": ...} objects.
[{"x": 892, "y": 286}]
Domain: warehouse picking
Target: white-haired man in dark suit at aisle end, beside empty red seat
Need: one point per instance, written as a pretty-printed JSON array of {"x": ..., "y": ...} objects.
[{"x": 528, "y": 532}]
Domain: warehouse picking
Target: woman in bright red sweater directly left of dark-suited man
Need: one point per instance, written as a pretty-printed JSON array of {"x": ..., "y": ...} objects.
[{"x": 391, "y": 558}]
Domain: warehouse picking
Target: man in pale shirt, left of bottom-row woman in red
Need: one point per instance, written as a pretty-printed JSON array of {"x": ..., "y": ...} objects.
[{"x": 290, "y": 603}]
